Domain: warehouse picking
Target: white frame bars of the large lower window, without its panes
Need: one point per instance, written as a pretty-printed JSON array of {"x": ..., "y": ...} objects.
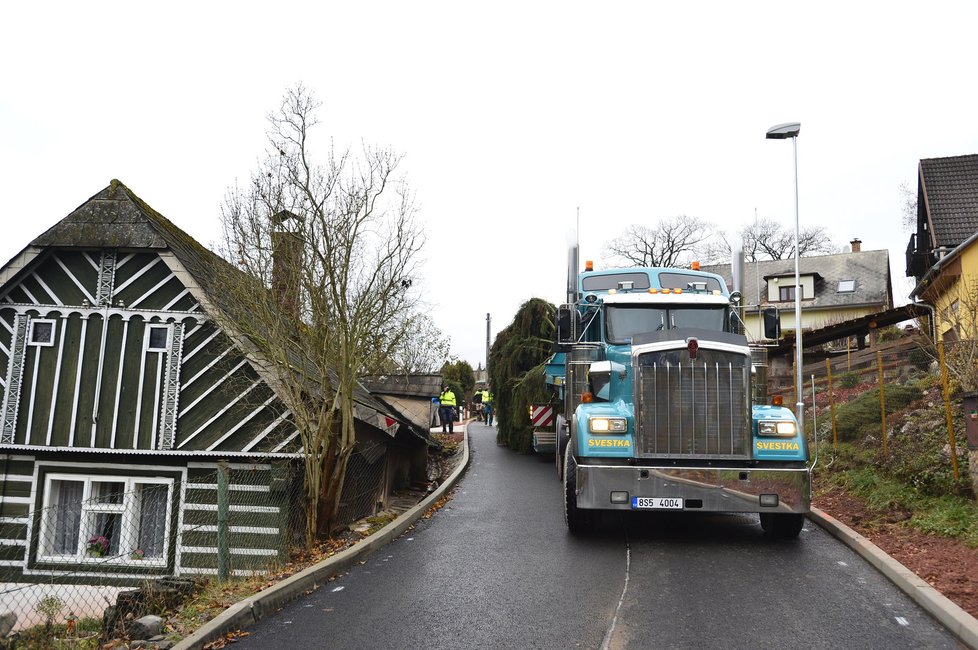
[{"x": 129, "y": 510}]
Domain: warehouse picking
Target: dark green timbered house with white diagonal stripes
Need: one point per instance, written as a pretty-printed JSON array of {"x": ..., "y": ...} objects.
[{"x": 121, "y": 393}]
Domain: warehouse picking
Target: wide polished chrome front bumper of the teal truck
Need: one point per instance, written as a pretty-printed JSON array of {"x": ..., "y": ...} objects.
[{"x": 701, "y": 489}]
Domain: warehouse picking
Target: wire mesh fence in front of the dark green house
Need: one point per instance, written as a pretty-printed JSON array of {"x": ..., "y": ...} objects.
[{"x": 104, "y": 547}]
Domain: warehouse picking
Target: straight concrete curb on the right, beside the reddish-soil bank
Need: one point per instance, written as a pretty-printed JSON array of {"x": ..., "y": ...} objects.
[{"x": 962, "y": 624}]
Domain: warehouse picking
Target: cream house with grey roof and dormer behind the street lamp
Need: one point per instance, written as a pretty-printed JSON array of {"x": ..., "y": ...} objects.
[{"x": 834, "y": 288}]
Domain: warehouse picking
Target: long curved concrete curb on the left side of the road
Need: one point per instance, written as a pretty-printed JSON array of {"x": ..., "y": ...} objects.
[{"x": 247, "y": 612}]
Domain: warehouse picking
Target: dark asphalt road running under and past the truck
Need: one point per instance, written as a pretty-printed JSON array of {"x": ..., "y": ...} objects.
[{"x": 496, "y": 568}]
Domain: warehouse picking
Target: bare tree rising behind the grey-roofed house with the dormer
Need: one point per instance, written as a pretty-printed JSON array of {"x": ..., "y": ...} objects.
[{"x": 767, "y": 239}]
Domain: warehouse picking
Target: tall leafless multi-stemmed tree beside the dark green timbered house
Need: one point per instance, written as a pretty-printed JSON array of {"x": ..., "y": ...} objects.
[{"x": 328, "y": 250}]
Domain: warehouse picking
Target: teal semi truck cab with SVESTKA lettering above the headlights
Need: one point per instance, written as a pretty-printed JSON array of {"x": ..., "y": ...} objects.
[{"x": 665, "y": 403}]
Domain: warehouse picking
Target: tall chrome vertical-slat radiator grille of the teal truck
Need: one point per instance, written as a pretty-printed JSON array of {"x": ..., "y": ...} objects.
[{"x": 693, "y": 408}]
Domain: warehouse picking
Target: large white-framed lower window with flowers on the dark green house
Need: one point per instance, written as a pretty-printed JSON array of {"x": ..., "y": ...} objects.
[{"x": 105, "y": 519}]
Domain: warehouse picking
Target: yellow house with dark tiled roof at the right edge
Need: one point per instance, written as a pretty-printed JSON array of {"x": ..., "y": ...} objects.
[{"x": 942, "y": 254}]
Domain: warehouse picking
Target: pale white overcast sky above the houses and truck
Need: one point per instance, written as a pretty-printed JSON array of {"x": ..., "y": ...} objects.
[{"x": 510, "y": 117}]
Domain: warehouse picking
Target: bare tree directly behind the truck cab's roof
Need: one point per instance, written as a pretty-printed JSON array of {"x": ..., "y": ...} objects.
[{"x": 671, "y": 242}]
